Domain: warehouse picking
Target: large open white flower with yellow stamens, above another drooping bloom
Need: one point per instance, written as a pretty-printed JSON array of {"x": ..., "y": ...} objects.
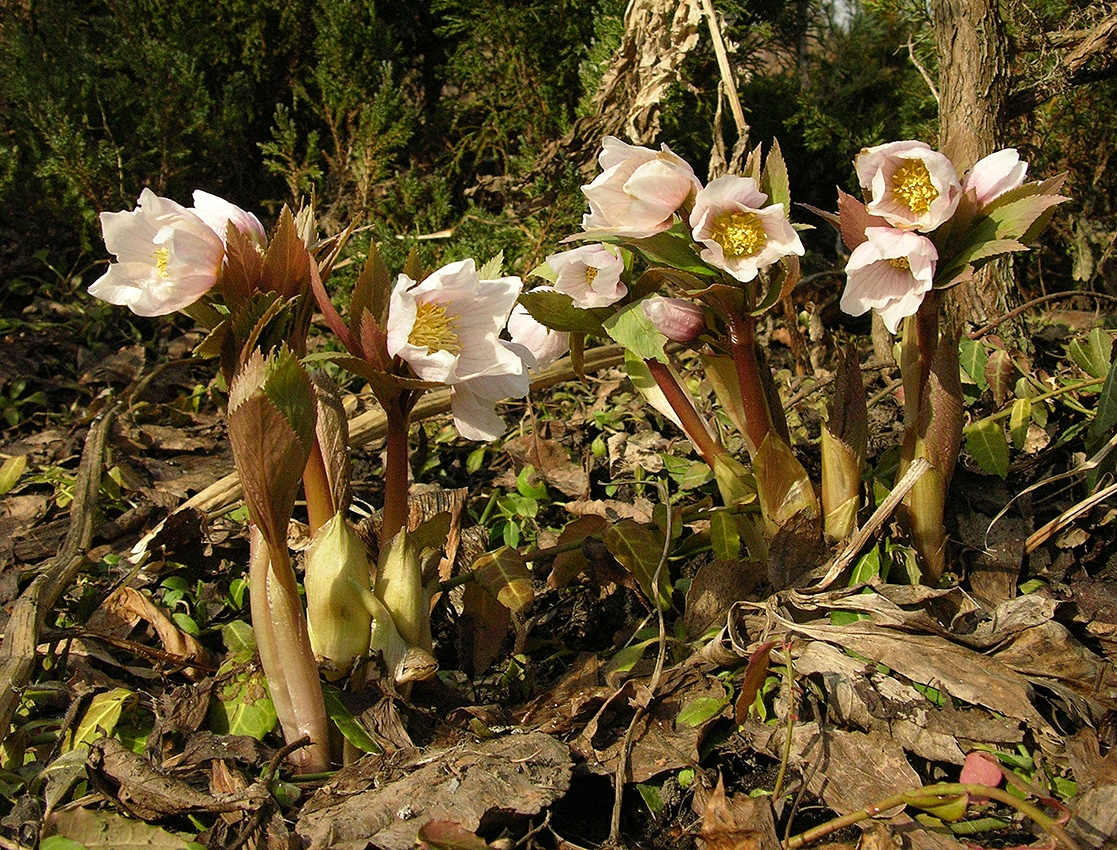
[{"x": 448, "y": 328}]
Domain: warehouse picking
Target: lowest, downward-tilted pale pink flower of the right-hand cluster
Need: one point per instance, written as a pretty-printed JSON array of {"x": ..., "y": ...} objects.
[{"x": 890, "y": 273}]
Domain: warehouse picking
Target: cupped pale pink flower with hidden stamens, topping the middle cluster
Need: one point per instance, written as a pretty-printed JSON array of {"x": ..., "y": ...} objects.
[{"x": 638, "y": 192}]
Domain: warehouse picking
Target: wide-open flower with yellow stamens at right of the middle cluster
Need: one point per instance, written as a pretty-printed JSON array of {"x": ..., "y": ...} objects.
[{"x": 741, "y": 235}]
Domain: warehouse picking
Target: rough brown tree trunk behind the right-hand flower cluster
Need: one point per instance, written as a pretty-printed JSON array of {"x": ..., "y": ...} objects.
[{"x": 973, "y": 88}]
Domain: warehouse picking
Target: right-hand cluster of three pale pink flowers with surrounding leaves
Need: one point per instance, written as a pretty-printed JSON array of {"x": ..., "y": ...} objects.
[{"x": 920, "y": 219}]
